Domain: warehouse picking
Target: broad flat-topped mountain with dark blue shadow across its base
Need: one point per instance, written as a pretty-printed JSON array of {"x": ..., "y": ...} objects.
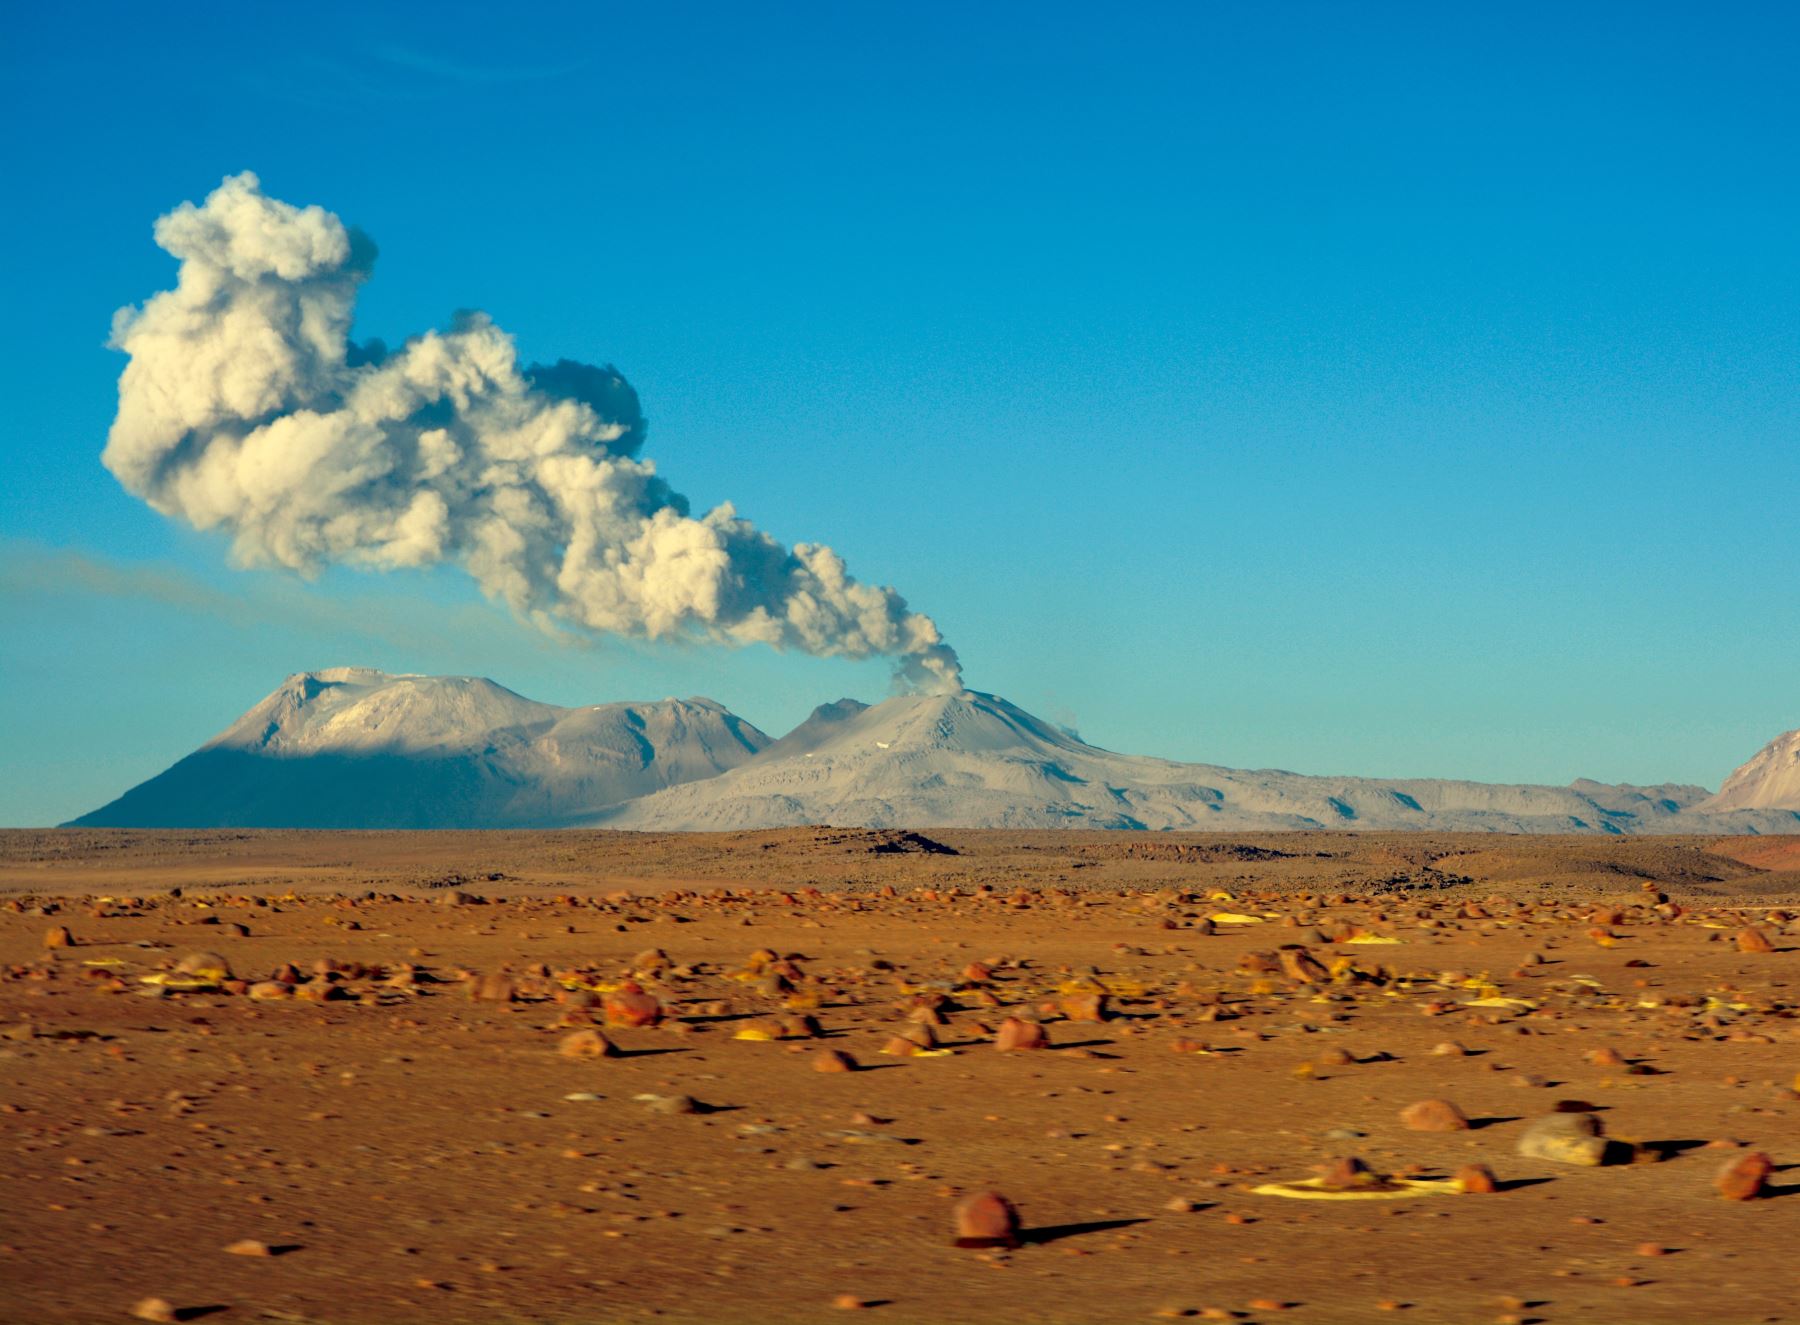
[{"x": 350, "y": 748}]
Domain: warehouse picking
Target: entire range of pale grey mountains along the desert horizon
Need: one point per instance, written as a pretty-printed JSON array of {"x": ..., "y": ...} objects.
[{"x": 352, "y": 748}]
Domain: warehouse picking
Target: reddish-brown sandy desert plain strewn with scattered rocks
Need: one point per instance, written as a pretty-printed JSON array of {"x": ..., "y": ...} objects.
[{"x": 413, "y": 1153}]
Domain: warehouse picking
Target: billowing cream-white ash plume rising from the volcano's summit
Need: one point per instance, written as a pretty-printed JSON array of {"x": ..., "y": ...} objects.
[{"x": 246, "y": 408}]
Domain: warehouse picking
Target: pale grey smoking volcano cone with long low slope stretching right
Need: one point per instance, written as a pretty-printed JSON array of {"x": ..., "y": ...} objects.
[{"x": 978, "y": 762}]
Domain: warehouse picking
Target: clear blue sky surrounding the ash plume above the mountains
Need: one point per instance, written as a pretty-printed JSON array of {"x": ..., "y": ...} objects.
[{"x": 1394, "y": 390}]
